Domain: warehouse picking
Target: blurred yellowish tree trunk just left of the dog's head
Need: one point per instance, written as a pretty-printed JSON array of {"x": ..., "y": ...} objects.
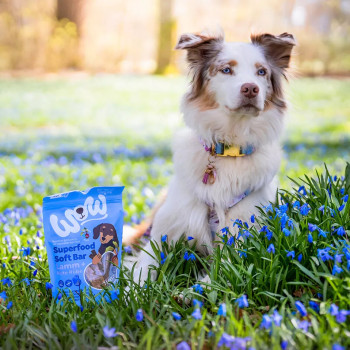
[{"x": 167, "y": 30}]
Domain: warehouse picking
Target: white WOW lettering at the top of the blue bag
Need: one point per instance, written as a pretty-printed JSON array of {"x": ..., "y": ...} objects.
[{"x": 74, "y": 218}]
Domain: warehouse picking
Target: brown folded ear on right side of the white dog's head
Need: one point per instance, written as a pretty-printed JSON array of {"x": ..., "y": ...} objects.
[{"x": 278, "y": 49}]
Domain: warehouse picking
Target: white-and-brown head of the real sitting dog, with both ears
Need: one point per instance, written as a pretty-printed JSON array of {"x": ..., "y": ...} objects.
[{"x": 239, "y": 79}]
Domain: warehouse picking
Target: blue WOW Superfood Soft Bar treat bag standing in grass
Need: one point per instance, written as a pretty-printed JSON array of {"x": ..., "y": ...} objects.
[{"x": 83, "y": 238}]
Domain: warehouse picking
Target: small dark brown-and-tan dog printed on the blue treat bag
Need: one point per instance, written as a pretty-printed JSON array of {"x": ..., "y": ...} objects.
[{"x": 109, "y": 239}]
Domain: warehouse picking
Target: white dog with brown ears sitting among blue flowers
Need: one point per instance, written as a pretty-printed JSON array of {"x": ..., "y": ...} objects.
[{"x": 227, "y": 157}]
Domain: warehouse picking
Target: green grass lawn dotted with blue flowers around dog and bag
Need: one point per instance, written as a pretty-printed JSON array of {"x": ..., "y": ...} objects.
[{"x": 73, "y": 134}]
